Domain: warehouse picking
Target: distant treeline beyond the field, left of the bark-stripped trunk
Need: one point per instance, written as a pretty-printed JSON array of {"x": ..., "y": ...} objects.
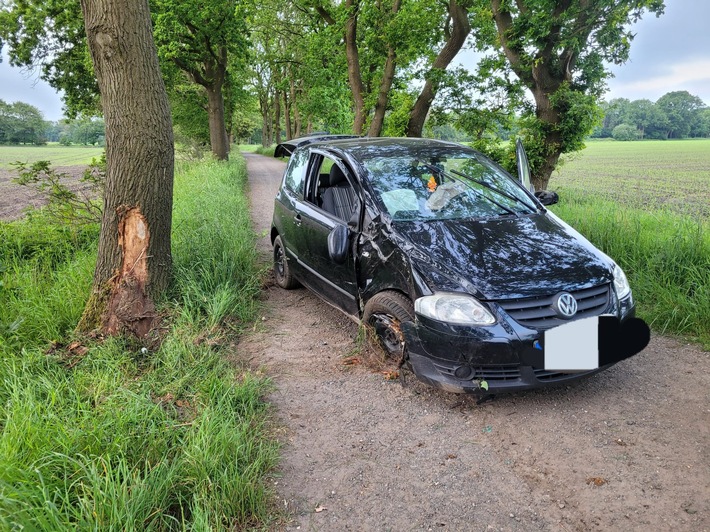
[{"x": 22, "y": 123}]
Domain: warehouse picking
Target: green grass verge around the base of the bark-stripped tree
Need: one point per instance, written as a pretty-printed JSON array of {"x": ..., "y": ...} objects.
[{"x": 108, "y": 435}]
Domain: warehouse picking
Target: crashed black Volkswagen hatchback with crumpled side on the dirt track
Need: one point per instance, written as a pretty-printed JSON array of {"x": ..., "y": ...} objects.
[{"x": 459, "y": 268}]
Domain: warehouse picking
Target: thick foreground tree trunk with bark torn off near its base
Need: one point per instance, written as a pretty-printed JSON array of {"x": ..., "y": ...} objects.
[{"x": 134, "y": 260}]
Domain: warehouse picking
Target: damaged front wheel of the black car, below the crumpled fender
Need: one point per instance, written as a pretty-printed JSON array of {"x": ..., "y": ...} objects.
[{"x": 385, "y": 312}]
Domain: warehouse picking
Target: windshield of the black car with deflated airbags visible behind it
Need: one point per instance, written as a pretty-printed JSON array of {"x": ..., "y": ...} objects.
[{"x": 444, "y": 186}]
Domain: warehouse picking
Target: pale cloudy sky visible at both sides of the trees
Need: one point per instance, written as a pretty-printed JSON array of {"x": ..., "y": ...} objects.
[{"x": 669, "y": 53}]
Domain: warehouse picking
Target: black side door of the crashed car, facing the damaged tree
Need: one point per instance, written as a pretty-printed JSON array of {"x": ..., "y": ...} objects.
[{"x": 334, "y": 282}]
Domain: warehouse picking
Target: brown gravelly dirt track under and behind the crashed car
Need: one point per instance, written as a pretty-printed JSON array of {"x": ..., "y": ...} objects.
[{"x": 628, "y": 448}]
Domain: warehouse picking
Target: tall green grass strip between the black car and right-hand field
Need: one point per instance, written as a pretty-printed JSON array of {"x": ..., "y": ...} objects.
[{"x": 665, "y": 255}]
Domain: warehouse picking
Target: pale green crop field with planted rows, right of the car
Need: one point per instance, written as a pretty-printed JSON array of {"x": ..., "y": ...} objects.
[{"x": 672, "y": 175}]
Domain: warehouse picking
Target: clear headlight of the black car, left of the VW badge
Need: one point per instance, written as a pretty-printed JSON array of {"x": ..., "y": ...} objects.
[{"x": 459, "y": 309}]
